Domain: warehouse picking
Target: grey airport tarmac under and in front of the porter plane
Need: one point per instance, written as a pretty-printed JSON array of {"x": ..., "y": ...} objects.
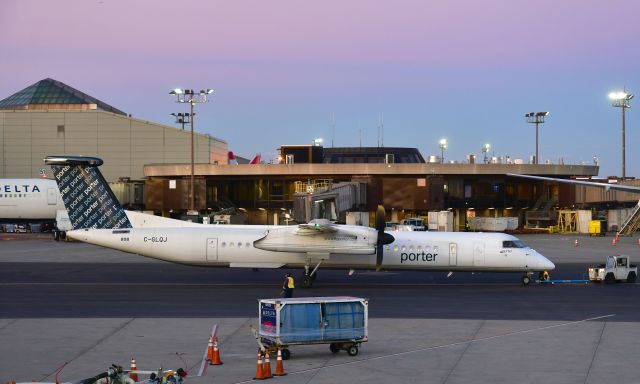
[{"x": 91, "y": 307}]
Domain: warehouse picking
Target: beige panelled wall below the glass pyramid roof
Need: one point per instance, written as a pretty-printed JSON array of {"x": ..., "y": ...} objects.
[{"x": 125, "y": 144}]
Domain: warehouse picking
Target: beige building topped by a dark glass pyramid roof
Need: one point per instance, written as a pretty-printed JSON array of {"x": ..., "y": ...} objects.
[{"x": 53, "y": 118}]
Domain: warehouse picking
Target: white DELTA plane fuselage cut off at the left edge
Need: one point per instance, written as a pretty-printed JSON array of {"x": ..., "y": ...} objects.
[{"x": 29, "y": 199}]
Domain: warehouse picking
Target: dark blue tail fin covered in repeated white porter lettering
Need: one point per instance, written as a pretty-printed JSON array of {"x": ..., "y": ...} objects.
[{"x": 86, "y": 194}]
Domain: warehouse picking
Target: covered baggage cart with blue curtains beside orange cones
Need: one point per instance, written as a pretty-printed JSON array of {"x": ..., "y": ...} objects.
[{"x": 341, "y": 322}]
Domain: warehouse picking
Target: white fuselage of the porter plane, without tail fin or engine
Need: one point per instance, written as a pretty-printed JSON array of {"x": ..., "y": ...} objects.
[{"x": 233, "y": 246}]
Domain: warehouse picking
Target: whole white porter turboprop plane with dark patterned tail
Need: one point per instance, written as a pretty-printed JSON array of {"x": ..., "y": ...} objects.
[{"x": 98, "y": 218}]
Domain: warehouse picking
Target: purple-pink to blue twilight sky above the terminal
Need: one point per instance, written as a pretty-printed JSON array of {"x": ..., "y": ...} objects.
[{"x": 466, "y": 70}]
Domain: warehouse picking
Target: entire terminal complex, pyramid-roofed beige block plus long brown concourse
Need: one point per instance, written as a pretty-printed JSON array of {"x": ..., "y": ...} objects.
[{"x": 148, "y": 166}]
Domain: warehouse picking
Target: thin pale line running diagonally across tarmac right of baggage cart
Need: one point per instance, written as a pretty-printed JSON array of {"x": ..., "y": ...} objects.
[{"x": 443, "y": 346}]
